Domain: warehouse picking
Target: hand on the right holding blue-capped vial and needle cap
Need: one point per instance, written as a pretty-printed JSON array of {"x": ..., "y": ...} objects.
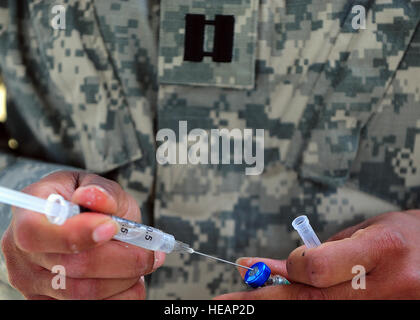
[{"x": 387, "y": 246}]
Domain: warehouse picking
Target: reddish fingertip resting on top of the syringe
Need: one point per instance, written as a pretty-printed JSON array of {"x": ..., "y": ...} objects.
[{"x": 106, "y": 196}]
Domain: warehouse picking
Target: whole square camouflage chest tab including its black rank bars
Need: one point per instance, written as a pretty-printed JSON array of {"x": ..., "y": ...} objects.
[{"x": 208, "y": 43}]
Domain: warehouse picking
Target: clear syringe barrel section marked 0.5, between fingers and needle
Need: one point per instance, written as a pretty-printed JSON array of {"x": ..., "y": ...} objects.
[{"x": 144, "y": 236}]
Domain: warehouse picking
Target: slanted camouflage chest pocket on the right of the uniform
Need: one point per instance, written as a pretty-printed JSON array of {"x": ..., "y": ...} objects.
[{"x": 349, "y": 90}]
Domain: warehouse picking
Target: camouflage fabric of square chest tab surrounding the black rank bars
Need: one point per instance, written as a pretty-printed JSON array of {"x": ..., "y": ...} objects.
[{"x": 173, "y": 69}]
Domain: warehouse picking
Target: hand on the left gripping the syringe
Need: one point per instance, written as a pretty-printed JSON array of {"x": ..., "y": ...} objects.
[{"x": 96, "y": 268}]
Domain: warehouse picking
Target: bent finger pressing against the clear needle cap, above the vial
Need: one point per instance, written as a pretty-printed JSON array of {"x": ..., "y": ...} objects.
[{"x": 332, "y": 262}]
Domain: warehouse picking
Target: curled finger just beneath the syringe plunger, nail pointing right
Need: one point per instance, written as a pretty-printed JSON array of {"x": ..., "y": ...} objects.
[{"x": 34, "y": 233}]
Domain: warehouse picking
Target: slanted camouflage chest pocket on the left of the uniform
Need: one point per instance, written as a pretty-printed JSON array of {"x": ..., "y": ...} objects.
[{"x": 83, "y": 86}]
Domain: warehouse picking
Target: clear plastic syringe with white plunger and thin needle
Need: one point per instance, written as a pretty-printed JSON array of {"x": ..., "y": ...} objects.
[{"x": 58, "y": 210}]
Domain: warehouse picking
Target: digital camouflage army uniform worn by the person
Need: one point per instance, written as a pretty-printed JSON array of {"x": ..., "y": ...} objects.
[{"x": 340, "y": 109}]
